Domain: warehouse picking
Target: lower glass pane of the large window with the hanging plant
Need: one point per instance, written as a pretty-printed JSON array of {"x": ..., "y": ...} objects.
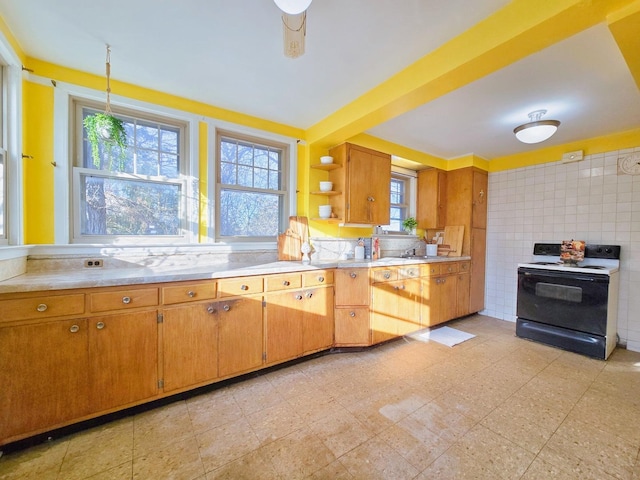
[{"x": 117, "y": 206}]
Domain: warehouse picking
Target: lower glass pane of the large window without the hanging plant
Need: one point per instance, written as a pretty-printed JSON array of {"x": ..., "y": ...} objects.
[{"x": 249, "y": 214}]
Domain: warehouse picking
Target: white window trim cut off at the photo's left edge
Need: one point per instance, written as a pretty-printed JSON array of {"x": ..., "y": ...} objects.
[{"x": 12, "y": 135}]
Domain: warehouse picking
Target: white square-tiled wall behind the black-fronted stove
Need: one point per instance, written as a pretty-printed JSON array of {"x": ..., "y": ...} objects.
[{"x": 585, "y": 200}]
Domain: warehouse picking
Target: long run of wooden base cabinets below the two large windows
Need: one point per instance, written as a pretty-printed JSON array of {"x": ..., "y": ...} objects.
[{"x": 72, "y": 355}]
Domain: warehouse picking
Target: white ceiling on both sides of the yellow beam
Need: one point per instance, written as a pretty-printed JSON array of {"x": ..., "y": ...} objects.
[{"x": 228, "y": 53}]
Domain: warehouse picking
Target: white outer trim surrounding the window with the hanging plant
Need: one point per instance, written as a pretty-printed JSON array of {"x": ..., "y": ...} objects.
[{"x": 63, "y": 177}]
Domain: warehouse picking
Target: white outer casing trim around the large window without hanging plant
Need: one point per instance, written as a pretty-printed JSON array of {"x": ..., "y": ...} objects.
[{"x": 292, "y": 170}]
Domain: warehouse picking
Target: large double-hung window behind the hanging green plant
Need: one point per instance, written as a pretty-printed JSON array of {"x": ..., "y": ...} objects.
[{"x": 138, "y": 193}]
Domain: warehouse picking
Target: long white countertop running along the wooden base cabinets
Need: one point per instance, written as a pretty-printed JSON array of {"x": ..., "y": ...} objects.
[{"x": 105, "y": 277}]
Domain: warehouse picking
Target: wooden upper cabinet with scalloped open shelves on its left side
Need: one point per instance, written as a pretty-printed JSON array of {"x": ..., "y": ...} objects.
[{"x": 365, "y": 181}]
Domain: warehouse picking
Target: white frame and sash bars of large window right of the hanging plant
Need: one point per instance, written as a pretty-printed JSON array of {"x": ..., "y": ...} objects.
[{"x": 286, "y": 187}]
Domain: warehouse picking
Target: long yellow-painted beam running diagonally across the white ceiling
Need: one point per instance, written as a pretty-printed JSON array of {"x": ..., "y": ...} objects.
[{"x": 521, "y": 28}]
